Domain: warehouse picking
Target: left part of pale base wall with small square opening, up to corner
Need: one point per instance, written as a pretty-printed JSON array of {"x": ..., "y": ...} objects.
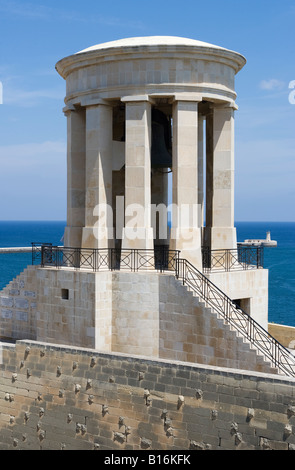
[{"x": 61, "y": 306}]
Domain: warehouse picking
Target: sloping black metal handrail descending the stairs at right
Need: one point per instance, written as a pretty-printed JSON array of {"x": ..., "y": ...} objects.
[{"x": 278, "y": 355}]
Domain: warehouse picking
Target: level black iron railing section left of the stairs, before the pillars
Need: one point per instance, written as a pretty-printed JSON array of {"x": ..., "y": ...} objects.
[{"x": 160, "y": 258}]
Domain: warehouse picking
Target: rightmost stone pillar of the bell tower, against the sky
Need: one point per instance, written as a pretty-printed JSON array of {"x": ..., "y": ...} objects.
[{"x": 220, "y": 232}]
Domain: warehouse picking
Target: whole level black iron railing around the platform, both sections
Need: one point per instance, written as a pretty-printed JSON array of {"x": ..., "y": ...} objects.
[{"x": 242, "y": 258}]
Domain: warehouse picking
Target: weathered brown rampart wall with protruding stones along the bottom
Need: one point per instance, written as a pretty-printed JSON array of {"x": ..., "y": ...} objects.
[{"x": 54, "y": 397}]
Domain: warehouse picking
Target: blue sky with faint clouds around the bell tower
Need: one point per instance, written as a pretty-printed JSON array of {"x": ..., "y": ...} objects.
[{"x": 36, "y": 34}]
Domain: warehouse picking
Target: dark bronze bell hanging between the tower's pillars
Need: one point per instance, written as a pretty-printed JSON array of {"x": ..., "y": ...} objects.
[{"x": 160, "y": 155}]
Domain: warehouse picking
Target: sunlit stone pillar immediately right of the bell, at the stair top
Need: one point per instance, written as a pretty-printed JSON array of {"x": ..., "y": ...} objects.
[{"x": 186, "y": 231}]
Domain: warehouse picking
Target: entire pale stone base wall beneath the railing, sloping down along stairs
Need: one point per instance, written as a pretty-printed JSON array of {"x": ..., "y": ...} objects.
[{"x": 138, "y": 313}]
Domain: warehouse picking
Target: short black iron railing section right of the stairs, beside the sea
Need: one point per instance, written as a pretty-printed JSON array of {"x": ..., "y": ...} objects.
[{"x": 239, "y": 259}]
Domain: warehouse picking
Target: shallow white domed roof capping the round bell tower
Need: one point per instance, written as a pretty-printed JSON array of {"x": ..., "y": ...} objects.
[{"x": 151, "y": 41}]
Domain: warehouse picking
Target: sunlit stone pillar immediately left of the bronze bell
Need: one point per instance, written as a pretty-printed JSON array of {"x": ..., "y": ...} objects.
[{"x": 138, "y": 232}]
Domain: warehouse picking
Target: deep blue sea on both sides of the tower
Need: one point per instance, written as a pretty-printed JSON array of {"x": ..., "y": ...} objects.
[{"x": 280, "y": 260}]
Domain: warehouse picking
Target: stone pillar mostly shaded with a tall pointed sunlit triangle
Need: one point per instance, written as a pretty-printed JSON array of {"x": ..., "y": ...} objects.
[{"x": 98, "y": 230}]
